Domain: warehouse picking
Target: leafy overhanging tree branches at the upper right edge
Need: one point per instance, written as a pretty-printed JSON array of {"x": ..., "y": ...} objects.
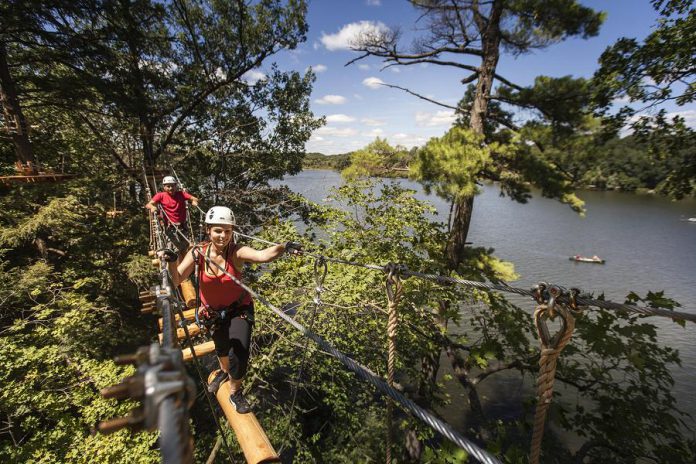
[{"x": 658, "y": 70}]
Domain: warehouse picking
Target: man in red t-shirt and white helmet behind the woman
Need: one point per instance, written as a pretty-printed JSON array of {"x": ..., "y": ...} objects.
[{"x": 173, "y": 204}]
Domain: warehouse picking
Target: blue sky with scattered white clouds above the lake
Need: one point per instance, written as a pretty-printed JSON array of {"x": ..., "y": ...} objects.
[{"x": 357, "y": 112}]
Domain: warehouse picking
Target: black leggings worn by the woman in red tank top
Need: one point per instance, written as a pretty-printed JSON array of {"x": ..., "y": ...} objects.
[{"x": 233, "y": 338}]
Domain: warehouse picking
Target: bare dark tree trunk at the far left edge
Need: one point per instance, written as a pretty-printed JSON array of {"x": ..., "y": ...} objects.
[{"x": 14, "y": 119}]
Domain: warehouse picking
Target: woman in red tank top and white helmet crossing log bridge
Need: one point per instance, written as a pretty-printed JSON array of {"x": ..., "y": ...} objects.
[{"x": 226, "y": 308}]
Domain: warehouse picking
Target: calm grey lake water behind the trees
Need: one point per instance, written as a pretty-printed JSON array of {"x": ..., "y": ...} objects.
[{"x": 646, "y": 242}]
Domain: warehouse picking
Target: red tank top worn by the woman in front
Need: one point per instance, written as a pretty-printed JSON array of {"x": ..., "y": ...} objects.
[{"x": 219, "y": 292}]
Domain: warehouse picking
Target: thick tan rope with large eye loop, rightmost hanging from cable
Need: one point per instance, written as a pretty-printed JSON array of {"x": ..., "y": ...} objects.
[{"x": 551, "y": 348}]
